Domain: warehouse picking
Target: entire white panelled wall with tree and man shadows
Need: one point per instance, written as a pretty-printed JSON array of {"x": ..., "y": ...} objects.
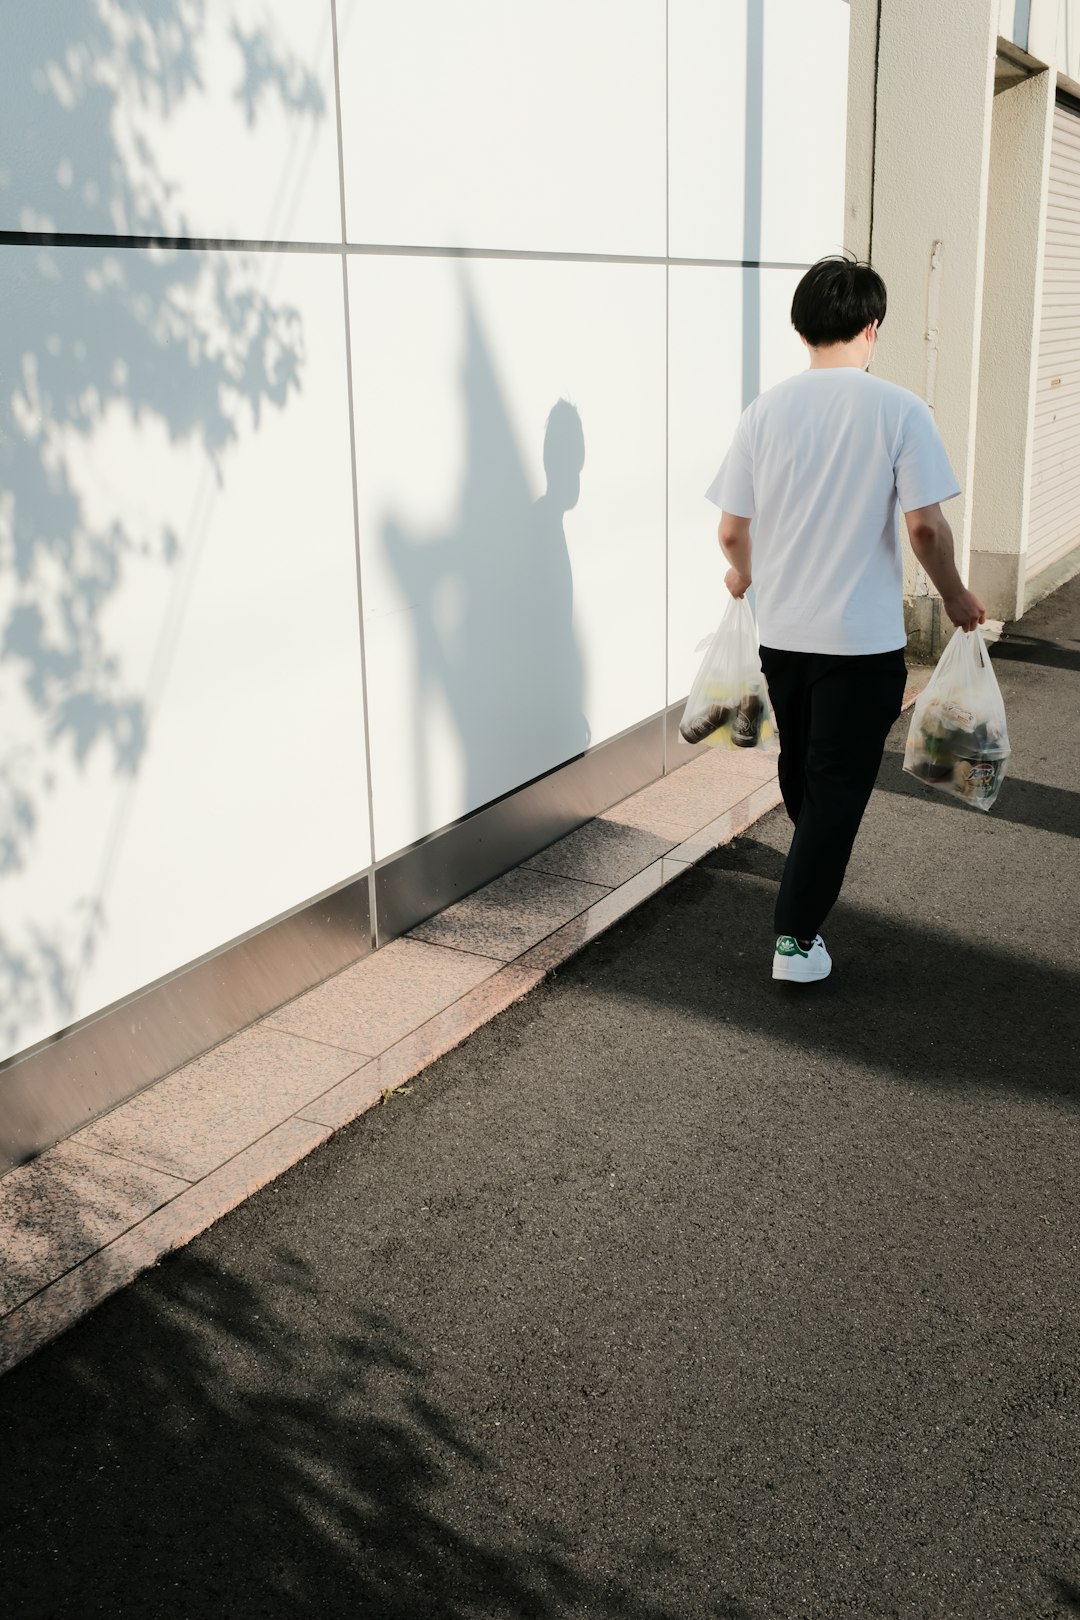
[{"x": 315, "y": 532}]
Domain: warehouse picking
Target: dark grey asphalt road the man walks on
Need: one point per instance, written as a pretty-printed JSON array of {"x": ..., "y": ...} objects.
[{"x": 671, "y": 1295}]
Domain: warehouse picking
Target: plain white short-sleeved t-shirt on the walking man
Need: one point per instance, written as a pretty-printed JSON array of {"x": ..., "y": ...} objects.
[{"x": 822, "y": 463}]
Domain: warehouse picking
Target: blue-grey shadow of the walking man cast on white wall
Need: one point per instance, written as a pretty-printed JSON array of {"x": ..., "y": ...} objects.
[{"x": 491, "y": 603}]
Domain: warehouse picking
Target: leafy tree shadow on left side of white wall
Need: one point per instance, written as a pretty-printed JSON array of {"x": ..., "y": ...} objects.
[{"x": 93, "y": 336}]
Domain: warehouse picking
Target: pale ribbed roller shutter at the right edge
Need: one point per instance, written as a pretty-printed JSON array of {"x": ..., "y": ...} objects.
[{"x": 1055, "y": 518}]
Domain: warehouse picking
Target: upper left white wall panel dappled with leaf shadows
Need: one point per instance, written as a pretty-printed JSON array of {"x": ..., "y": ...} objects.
[{"x": 187, "y": 119}]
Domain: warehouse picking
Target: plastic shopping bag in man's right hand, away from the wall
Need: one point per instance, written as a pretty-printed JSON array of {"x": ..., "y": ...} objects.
[{"x": 958, "y": 738}]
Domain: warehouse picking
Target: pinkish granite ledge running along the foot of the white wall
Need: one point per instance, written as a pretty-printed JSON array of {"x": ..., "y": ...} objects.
[{"x": 87, "y": 1217}]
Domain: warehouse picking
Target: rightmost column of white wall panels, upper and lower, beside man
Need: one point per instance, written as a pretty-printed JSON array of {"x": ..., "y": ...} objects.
[{"x": 759, "y": 127}]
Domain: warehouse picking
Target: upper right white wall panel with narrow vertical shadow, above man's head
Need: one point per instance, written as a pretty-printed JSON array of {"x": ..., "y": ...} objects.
[{"x": 765, "y": 103}]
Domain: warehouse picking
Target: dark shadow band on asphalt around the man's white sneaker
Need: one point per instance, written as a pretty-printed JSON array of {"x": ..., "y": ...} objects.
[{"x": 927, "y": 1002}]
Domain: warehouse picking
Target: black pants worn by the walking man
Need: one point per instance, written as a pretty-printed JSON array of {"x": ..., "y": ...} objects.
[{"x": 833, "y": 717}]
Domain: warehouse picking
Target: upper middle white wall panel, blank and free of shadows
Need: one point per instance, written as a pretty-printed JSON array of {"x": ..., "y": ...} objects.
[{"x": 529, "y": 126}]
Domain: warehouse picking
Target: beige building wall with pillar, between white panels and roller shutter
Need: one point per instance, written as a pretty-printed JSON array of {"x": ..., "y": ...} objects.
[{"x": 946, "y": 195}]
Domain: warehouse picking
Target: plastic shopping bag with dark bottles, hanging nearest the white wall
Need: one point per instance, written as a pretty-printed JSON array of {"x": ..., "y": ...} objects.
[{"x": 729, "y": 702}]
